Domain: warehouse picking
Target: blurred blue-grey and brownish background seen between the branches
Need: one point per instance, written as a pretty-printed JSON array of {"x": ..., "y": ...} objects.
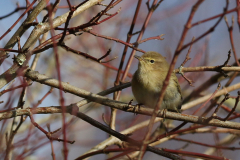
[{"x": 169, "y": 19}]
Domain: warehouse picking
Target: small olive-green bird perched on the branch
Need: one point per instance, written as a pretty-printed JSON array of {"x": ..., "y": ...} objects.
[{"x": 148, "y": 80}]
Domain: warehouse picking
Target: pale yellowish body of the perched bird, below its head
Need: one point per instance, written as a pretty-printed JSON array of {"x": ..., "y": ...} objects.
[{"x": 147, "y": 86}]
